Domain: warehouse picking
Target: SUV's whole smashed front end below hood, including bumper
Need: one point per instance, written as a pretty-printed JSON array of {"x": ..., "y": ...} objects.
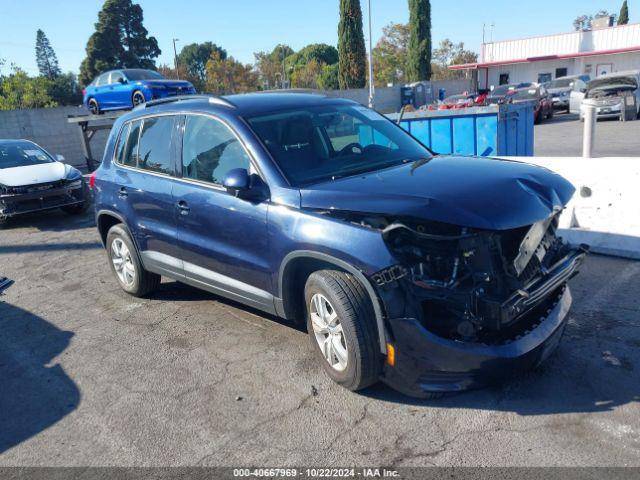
[{"x": 466, "y": 307}]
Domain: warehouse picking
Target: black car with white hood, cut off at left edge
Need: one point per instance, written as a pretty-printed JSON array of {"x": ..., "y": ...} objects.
[{"x": 33, "y": 180}]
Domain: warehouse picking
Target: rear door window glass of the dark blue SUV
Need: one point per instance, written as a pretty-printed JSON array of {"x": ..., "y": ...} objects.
[{"x": 154, "y": 151}]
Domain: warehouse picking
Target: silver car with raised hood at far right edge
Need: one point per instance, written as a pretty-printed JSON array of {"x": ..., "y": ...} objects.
[{"x": 611, "y": 94}]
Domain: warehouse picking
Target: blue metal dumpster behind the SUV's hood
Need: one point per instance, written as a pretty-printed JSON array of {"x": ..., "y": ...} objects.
[{"x": 496, "y": 130}]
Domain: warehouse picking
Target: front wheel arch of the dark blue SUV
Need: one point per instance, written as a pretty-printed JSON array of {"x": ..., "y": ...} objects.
[{"x": 296, "y": 268}]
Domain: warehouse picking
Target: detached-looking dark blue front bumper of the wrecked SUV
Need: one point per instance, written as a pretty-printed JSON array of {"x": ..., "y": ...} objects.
[{"x": 425, "y": 362}]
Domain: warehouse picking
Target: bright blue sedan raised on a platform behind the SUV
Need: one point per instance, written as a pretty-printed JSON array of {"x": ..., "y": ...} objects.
[{"x": 123, "y": 89}]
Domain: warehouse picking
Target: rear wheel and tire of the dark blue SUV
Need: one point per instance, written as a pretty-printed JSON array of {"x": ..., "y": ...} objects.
[{"x": 126, "y": 265}]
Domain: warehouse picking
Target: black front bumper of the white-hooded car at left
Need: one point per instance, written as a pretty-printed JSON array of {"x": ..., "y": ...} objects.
[{"x": 18, "y": 204}]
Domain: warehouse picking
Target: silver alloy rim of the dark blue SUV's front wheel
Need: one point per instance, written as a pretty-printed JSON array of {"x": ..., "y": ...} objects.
[{"x": 328, "y": 332}]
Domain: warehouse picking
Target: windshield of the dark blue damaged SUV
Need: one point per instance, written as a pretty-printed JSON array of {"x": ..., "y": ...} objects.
[{"x": 315, "y": 144}]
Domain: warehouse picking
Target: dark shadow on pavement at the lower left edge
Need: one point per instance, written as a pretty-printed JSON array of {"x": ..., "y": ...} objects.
[{"x": 35, "y": 394}]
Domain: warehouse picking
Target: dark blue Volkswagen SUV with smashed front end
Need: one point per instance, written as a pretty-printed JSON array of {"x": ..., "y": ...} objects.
[{"x": 432, "y": 273}]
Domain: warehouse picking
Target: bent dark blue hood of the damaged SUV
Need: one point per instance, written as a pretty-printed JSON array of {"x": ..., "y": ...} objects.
[{"x": 474, "y": 192}]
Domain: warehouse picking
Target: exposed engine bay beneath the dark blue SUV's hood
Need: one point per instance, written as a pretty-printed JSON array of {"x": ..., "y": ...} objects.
[{"x": 472, "y": 285}]
